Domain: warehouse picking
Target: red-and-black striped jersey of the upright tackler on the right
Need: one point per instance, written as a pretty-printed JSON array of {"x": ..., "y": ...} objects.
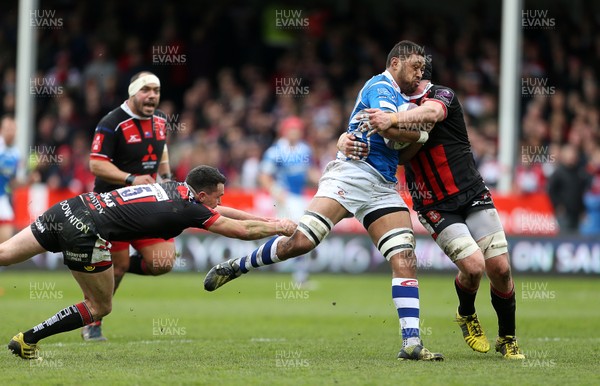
[{"x": 445, "y": 165}]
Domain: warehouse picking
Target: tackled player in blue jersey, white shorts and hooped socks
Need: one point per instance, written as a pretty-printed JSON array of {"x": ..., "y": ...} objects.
[{"x": 365, "y": 189}]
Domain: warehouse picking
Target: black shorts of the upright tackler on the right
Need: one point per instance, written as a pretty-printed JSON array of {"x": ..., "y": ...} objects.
[{"x": 456, "y": 209}]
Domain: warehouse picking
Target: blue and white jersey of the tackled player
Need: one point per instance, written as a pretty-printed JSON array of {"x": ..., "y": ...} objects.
[{"x": 382, "y": 92}]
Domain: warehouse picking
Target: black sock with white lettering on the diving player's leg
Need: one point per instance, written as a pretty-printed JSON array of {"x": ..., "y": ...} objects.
[{"x": 70, "y": 318}]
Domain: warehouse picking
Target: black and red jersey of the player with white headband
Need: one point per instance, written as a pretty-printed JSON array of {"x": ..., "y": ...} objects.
[{"x": 132, "y": 144}]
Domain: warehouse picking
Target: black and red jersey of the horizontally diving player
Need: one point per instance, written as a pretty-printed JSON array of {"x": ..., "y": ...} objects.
[{"x": 147, "y": 211}]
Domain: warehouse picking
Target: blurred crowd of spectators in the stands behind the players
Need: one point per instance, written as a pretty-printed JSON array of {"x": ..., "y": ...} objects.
[{"x": 232, "y": 70}]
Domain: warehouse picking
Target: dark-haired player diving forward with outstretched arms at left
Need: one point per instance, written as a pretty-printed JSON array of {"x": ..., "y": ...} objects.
[{"x": 82, "y": 226}]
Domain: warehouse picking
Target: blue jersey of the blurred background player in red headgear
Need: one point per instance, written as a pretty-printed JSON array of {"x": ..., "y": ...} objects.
[{"x": 289, "y": 165}]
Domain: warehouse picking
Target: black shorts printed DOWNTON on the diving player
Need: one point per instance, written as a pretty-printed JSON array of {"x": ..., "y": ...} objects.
[{"x": 67, "y": 227}]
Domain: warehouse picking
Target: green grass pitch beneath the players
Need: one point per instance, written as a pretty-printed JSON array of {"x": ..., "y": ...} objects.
[{"x": 261, "y": 329}]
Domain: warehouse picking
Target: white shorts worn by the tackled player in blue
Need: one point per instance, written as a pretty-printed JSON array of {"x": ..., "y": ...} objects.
[{"x": 358, "y": 188}]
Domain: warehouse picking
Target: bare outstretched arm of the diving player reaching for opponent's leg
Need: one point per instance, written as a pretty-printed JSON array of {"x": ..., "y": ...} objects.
[{"x": 251, "y": 229}]
